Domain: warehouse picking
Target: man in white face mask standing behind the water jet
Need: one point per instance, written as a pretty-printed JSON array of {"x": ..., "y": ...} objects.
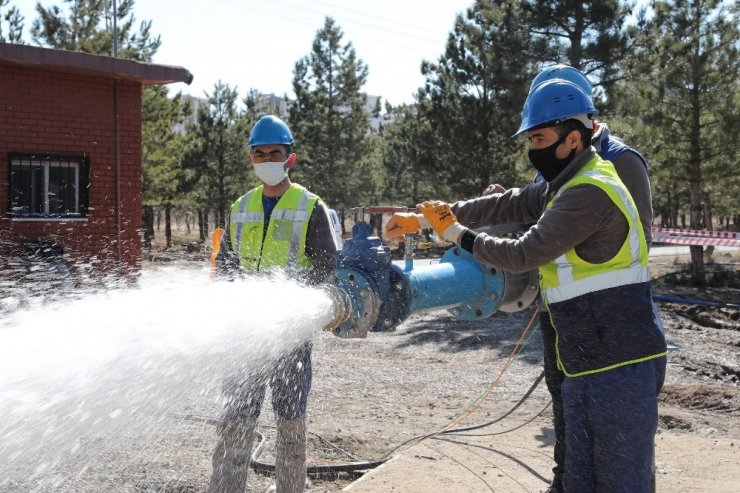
[{"x": 255, "y": 240}]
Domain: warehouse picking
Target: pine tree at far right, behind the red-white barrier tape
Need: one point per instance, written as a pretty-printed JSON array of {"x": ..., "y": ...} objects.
[{"x": 690, "y": 91}]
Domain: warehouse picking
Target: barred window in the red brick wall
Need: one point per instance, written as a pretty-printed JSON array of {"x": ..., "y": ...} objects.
[{"x": 48, "y": 185}]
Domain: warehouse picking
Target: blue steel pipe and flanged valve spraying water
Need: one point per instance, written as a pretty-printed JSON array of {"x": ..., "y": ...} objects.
[{"x": 372, "y": 294}]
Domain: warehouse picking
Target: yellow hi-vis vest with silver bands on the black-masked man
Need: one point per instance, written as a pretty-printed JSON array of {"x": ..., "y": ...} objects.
[{"x": 569, "y": 276}]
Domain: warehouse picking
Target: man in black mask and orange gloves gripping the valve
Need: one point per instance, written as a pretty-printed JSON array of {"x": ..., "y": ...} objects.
[{"x": 588, "y": 244}]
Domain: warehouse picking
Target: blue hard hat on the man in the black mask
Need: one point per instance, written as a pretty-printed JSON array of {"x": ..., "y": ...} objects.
[{"x": 555, "y": 101}]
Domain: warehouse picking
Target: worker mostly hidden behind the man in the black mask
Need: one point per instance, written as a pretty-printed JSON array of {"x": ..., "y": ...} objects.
[{"x": 632, "y": 169}]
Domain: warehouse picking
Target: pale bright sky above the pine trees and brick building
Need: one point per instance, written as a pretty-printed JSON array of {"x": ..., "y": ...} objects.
[{"x": 255, "y": 43}]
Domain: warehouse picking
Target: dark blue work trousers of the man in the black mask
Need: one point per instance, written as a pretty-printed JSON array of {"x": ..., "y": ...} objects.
[{"x": 611, "y": 418}]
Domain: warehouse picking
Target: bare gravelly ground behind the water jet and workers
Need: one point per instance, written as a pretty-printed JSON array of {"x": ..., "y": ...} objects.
[{"x": 371, "y": 395}]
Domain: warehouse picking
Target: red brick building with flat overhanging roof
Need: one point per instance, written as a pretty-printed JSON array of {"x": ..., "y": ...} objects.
[{"x": 70, "y": 152}]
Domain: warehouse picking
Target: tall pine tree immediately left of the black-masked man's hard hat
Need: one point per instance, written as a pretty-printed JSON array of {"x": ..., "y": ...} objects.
[{"x": 473, "y": 99}]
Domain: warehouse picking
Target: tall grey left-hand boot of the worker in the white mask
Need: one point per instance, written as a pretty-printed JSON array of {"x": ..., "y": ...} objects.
[{"x": 232, "y": 455}]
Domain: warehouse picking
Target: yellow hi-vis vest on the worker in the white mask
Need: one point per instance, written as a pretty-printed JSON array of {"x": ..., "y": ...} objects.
[{"x": 284, "y": 243}]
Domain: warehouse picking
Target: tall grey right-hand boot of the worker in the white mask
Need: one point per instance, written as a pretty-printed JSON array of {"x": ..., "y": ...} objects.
[{"x": 290, "y": 456}]
